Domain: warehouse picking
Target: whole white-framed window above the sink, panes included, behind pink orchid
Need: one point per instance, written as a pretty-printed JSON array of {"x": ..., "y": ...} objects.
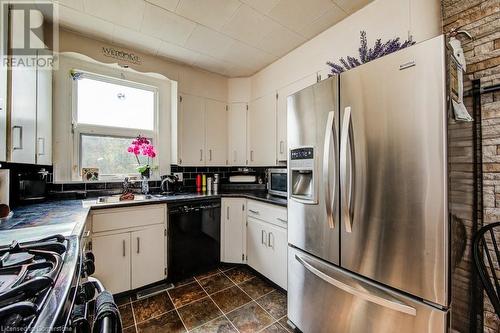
[{"x": 108, "y": 113}]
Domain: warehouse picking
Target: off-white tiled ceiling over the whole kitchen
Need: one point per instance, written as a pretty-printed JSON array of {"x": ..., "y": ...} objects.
[{"x": 230, "y": 37}]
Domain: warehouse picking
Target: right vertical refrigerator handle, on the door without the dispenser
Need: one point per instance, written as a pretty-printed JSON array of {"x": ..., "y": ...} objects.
[{"x": 347, "y": 191}]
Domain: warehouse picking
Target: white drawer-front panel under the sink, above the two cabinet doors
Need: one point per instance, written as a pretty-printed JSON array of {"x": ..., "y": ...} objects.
[{"x": 122, "y": 218}]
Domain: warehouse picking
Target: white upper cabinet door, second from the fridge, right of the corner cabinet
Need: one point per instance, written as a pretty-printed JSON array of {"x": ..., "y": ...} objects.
[{"x": 262, "y": 131}]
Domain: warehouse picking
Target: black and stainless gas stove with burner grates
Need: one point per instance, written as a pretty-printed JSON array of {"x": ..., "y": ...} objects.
[{"x": 44, "y": 283}]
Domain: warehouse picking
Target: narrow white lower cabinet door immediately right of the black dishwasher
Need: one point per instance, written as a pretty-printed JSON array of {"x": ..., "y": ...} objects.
[{"x": 233, "y": 230}]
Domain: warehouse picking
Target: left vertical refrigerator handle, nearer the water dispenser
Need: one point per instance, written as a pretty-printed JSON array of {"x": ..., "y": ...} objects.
[{"x": 329, "y": 139}]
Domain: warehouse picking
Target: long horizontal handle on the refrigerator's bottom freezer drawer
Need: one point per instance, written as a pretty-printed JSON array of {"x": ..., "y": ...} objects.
[{"x": 367, "y": 294}]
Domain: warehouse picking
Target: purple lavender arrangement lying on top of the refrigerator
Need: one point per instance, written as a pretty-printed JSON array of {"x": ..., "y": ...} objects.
[{"x": 366, "y": 54}]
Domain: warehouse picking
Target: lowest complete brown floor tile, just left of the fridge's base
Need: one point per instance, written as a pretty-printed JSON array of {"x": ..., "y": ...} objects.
[{"x": 250, "y": 318}]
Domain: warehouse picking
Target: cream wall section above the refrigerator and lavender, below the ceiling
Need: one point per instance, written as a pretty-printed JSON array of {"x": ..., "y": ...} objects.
[{"x": 383, "y": 19}]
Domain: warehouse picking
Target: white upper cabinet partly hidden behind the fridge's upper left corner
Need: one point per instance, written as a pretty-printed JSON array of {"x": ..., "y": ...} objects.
[{"x": 281, "y": 128}]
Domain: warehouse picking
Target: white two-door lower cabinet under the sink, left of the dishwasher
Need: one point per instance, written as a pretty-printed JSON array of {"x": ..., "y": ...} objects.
[{"x": 129, "y": 251}]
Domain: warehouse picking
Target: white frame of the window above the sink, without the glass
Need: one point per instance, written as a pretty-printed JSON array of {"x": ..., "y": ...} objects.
[{"x": 109, "y": 131}]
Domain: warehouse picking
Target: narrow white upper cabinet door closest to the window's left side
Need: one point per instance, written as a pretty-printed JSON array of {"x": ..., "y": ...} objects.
[{"x": 44, "y": 118}]
